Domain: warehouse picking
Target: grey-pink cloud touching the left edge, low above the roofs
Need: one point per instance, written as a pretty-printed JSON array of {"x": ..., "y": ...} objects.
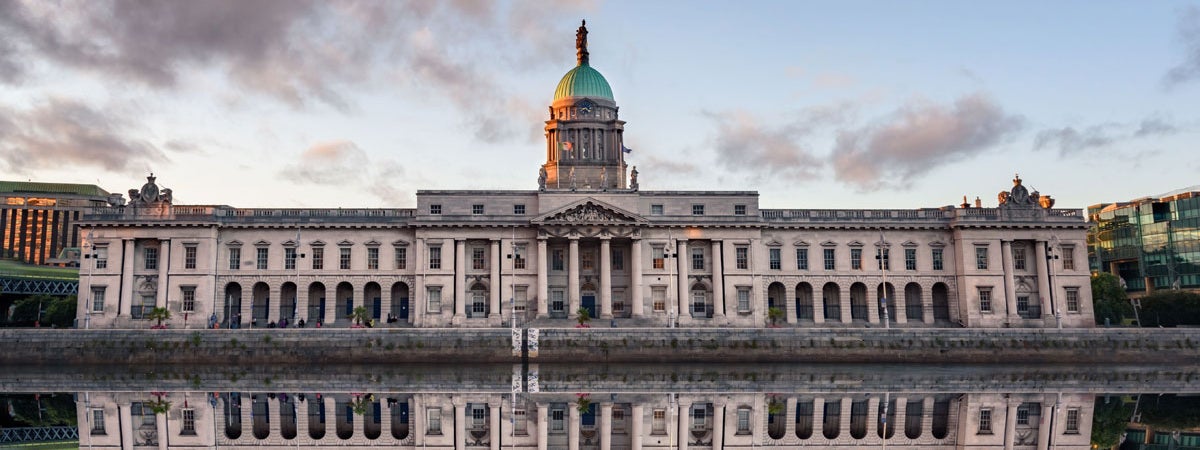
[{"x": 64, "y": 133}]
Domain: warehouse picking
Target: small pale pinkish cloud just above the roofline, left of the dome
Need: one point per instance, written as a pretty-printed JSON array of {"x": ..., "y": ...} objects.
[{"x": 344, "y": 164}]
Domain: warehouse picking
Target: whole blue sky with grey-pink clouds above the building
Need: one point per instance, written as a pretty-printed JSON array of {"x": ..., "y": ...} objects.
[{"x": 862, "y": 105}]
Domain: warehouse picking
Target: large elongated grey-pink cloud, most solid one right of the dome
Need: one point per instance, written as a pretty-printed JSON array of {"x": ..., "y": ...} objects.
[{"x": 917, "y": 139}]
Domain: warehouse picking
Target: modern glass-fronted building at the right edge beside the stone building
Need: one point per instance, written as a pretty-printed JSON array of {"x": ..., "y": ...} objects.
[{"x": 1151, "y": 243}]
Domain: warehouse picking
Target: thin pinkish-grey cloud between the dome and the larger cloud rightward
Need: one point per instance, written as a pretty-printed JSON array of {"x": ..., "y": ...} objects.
[{"x": 745, "y": 142}]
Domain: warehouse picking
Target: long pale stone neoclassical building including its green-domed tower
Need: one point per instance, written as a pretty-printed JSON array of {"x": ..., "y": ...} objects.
[{"x": 589, "y": 239}]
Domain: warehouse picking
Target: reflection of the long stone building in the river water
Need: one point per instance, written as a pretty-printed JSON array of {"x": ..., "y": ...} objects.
[{"x": 595, "y": 421}]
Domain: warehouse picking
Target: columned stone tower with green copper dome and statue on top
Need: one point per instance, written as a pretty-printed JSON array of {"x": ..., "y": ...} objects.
[{"x": 584, "y": 135}]
